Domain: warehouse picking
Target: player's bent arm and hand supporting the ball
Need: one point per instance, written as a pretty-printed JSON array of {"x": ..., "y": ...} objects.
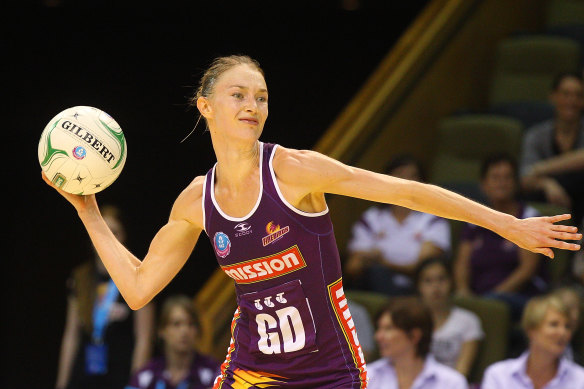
[{"x": 140, "y": 280}]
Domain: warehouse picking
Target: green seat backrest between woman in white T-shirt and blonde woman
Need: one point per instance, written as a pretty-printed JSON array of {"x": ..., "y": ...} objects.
[{"x": 495, "y": 319}]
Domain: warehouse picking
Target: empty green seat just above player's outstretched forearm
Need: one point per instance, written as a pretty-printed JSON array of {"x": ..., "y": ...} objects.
[{"x": 464, "y": 141}]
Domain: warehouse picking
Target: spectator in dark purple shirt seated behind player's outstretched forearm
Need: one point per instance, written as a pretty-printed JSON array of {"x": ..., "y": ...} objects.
[{"x": 486, "y": 264}]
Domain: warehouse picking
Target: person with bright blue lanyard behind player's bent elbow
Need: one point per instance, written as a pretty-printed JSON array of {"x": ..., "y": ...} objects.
[{"x": 104, "y": 340}]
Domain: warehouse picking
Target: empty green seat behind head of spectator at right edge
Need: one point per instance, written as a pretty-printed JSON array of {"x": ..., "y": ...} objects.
[{"x": 525, "y": 66}]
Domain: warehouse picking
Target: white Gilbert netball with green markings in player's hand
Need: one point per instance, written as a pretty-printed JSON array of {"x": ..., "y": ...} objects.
[{"x": 82, "y": 150}]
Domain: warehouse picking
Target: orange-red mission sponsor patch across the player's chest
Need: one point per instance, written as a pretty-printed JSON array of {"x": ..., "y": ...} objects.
[{"x": 265, "y": 268}]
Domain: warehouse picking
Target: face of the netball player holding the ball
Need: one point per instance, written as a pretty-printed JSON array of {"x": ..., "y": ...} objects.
[{"x": 238, "y": 105}]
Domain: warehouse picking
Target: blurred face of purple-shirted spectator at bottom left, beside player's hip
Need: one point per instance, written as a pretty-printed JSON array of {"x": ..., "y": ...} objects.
[{"x": 180, "y": 332}]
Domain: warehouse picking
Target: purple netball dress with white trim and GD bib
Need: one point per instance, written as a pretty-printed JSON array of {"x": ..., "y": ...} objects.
[{"x": 292, "y": 327}]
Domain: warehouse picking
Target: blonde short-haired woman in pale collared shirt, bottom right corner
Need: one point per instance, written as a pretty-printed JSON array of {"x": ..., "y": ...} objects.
[{"x": 546, "y": 322}]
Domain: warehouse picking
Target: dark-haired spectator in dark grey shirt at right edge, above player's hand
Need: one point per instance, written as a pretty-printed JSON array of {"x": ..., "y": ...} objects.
[{"x": 552, "y": 161}]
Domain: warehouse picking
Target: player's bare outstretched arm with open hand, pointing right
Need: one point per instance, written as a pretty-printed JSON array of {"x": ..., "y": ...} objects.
[{"x": 308, "y": 175}]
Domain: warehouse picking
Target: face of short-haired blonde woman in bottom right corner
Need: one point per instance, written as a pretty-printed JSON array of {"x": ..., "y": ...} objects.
[{"x": 553, "y": 334}]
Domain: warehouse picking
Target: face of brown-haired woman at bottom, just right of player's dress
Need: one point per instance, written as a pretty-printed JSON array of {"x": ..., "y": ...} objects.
[{"x": 393, "y": 342}]
